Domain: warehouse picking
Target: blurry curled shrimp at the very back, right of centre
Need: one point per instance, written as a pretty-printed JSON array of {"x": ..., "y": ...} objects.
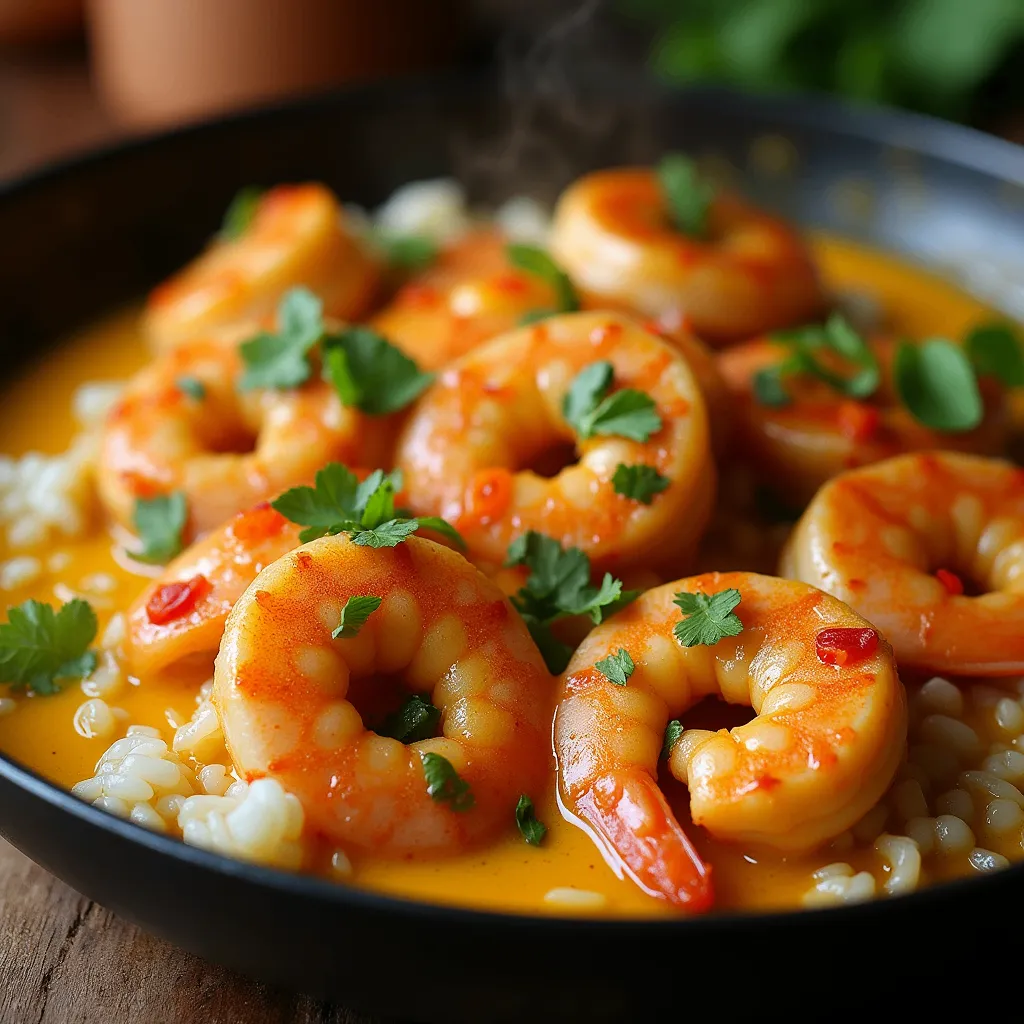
[{"x": 753, "y": 274}]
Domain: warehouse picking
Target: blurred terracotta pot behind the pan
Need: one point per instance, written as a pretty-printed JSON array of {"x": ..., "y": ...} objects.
[{"x": 163, "y": 61}]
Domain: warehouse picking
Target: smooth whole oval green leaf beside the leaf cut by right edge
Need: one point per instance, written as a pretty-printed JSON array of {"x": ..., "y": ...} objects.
[{"x": 936, "y": 382}]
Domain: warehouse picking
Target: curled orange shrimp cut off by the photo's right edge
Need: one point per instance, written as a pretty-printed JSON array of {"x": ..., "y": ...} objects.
[{"x": 900, "y": 541}]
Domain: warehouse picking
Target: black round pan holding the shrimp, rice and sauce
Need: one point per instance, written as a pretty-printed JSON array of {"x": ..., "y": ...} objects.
[{"x": 91, "y": 234}]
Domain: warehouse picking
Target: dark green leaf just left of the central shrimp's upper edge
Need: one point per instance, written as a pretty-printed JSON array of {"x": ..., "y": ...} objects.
[{"x": 370, "y": 373}]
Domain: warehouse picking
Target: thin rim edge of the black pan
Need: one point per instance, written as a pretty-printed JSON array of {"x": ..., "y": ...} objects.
[{"x": 883, "y": 126}]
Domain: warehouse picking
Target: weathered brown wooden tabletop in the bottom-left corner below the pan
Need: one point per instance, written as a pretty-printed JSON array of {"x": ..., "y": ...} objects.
[{"x": 65, "y": 960}]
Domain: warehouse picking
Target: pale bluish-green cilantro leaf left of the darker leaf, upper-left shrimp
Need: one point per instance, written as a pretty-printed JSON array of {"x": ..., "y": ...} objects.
[{"x": 282, "y": 361}]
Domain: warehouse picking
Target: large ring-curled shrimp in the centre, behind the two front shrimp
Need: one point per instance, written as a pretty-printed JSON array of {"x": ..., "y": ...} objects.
[{"x": 474, "y": 446}]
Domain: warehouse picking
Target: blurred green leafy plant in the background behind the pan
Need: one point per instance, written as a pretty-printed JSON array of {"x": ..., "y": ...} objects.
[{"x": 935, "y": 56}]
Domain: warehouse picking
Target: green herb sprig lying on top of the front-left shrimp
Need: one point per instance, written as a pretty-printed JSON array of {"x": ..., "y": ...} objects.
[{"x": 338, "y": 503}]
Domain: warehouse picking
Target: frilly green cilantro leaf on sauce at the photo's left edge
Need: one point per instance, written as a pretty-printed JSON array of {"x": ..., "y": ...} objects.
[{"x": 39, "y": 647}]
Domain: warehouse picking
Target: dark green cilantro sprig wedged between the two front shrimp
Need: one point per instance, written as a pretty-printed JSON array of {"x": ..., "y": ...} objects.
[{"x": 559, "y": 586}]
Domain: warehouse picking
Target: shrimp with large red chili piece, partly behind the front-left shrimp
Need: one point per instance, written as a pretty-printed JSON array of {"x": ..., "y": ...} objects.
[{"x": 181, "y": 617}]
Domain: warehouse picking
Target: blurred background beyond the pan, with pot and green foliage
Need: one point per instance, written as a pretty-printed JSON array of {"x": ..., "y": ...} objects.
[{"x": 76, "y": 73}]
